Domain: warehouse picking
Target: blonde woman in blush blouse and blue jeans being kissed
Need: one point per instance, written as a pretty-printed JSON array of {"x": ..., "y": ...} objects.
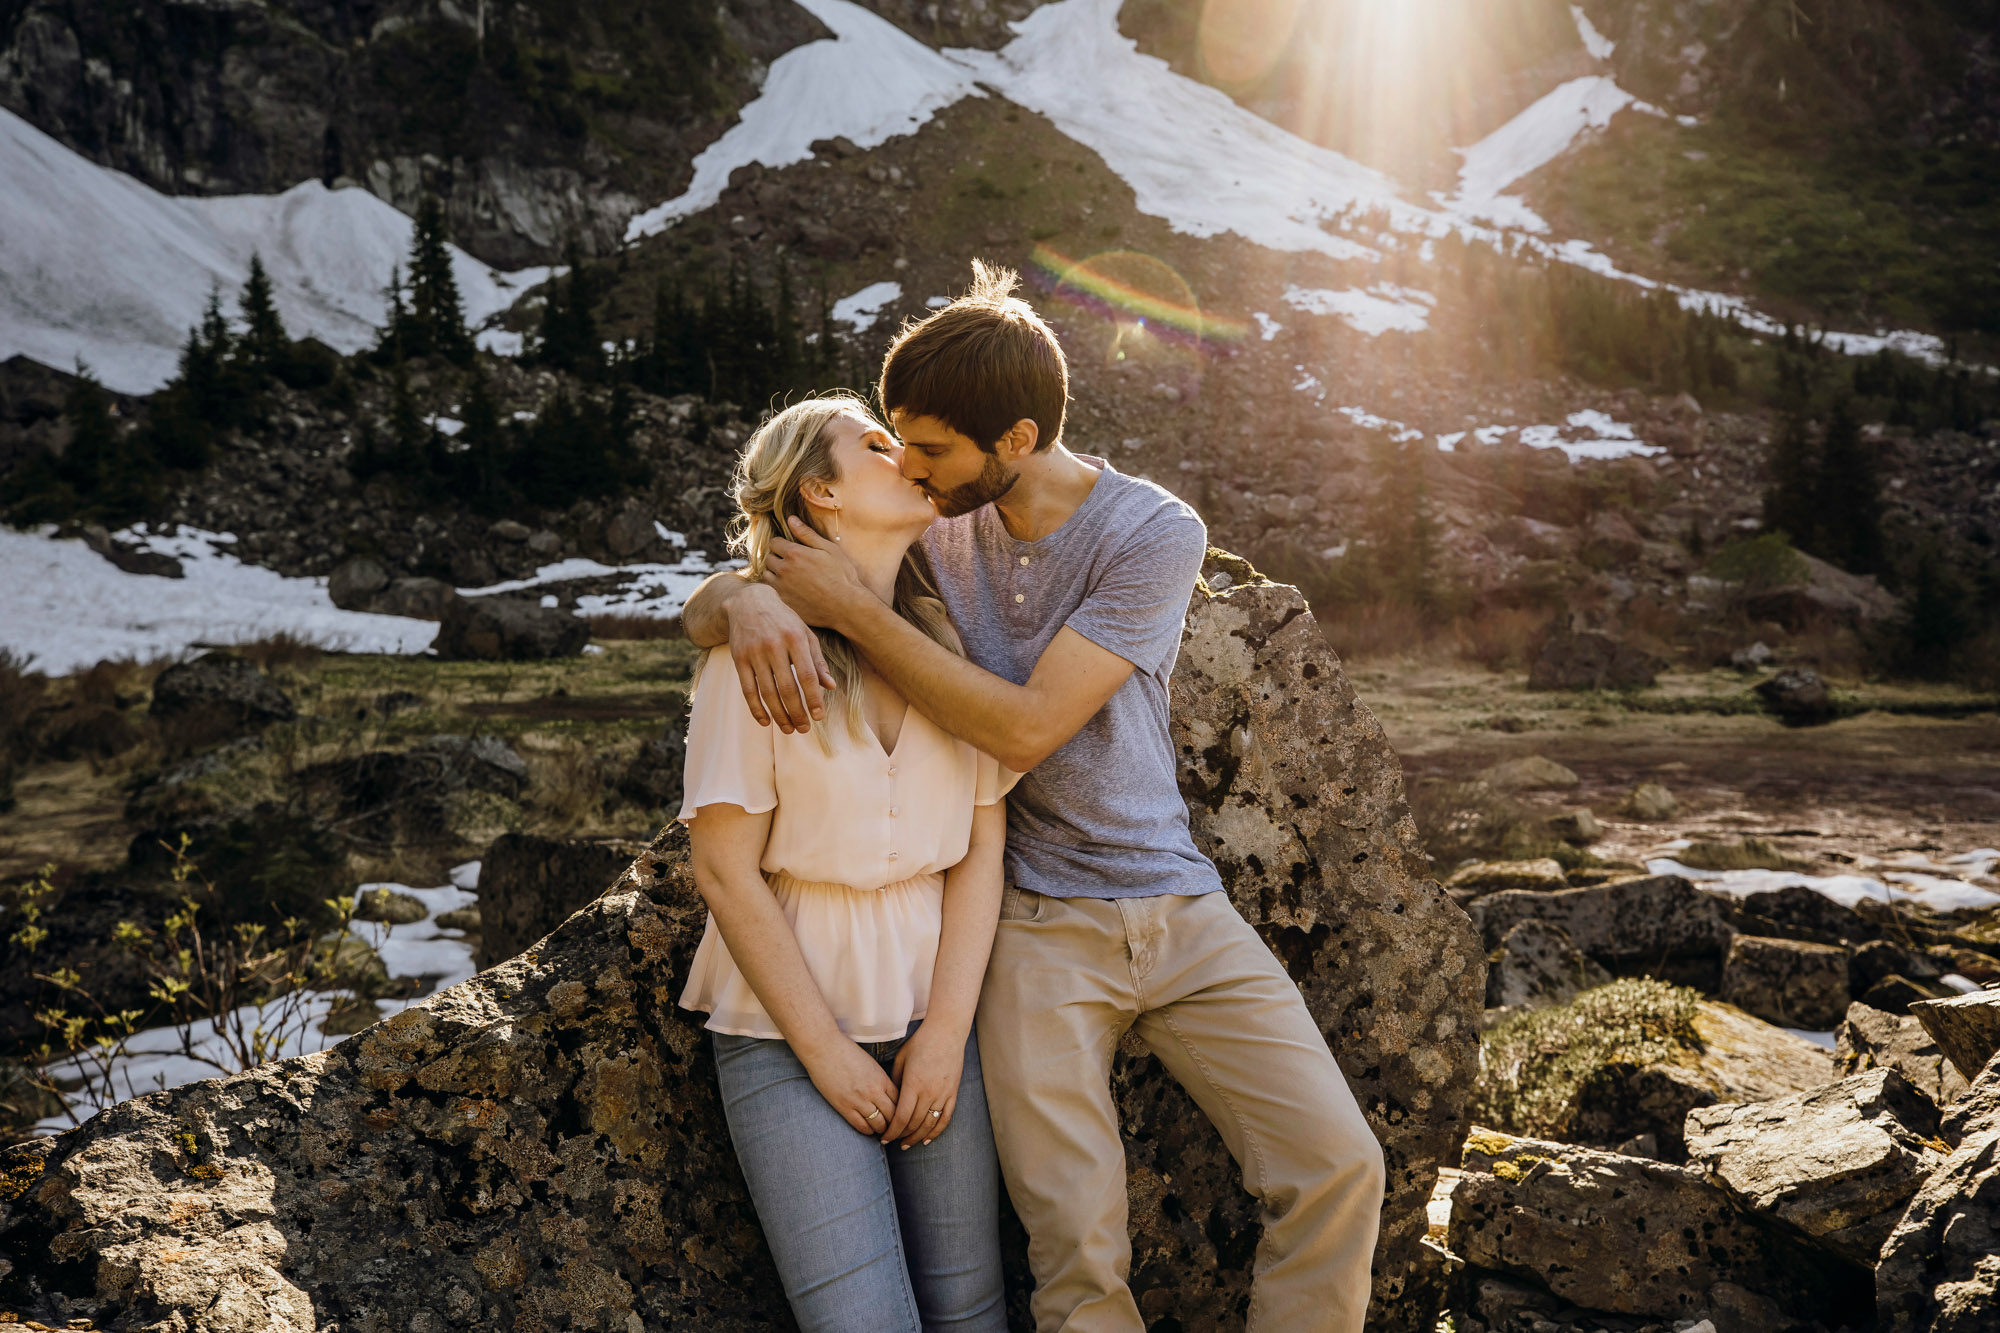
[{"x": 853, "y": 884}]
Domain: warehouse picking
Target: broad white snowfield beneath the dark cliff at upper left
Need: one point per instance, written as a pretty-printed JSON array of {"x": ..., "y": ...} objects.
[{"x": 101, "y": 269}]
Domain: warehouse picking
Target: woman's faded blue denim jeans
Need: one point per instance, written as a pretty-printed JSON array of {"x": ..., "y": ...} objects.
[{"x": 867, "y": 1236}]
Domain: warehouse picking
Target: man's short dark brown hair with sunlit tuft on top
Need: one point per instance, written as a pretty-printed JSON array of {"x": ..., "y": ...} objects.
[{"x": 981, "y": 365}]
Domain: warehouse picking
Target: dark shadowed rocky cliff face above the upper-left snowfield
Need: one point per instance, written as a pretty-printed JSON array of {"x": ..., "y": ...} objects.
[{"x": 533, "y": 121}]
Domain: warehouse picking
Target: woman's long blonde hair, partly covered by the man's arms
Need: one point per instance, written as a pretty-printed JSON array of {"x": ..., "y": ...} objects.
[{"x": 783, "y": 455}]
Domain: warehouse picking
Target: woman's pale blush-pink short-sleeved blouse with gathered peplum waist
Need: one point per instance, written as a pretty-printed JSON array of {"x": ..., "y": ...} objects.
[{"x": 857, "y": 854}]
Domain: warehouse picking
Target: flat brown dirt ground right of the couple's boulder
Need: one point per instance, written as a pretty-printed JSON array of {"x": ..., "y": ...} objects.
[{"x": 1871, "y": 786}]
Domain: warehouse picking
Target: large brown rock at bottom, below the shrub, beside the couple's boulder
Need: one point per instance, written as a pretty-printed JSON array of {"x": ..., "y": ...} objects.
[{"x": 1631, "y": 1236}]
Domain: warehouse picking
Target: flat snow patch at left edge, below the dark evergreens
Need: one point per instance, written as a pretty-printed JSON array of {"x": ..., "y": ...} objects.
[{"x": 69, "y": 607}]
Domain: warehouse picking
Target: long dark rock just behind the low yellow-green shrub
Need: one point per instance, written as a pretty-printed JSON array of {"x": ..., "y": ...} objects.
[{"x": 1635, "y": 920}]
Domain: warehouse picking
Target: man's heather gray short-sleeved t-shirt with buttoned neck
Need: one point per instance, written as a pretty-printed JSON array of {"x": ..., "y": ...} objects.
[{"x": 1103, "y": 818}]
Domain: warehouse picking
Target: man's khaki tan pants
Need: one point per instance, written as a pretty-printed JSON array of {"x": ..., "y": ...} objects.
[{"x": 1203, "y": 992}]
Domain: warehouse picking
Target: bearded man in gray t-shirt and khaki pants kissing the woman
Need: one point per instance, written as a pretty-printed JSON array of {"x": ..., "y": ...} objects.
[{"x": 1071, "y": 585}]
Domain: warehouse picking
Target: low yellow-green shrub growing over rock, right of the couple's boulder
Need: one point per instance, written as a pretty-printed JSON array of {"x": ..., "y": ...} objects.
[{"x": 1535, "y": 1066}]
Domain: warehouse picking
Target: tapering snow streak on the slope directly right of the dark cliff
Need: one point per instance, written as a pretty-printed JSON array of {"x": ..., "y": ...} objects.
[{"x": 869, "y": 85}]
